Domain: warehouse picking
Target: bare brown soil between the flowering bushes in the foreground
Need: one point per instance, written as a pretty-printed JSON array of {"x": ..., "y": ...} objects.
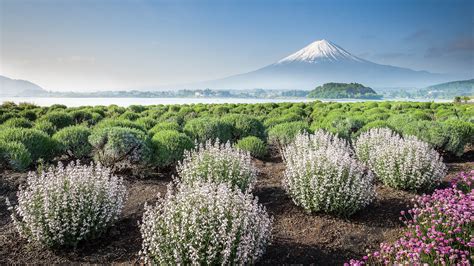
[{"x": 299, "y": 237}]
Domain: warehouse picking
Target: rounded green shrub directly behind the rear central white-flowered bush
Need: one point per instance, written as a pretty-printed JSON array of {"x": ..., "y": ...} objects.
[{"x": 203, "y": 129}]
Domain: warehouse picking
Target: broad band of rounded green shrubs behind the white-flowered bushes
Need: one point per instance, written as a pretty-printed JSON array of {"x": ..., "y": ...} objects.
[{"x": 45, "y": 132}]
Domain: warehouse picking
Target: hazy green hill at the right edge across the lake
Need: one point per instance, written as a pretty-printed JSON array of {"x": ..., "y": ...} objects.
[{"x": 451, "y": 89}]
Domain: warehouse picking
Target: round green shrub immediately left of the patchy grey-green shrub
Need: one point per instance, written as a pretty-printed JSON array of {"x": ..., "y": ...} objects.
[{"x": 73, "y": 141}]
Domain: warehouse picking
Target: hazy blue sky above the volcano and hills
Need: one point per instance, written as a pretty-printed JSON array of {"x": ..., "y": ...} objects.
[{"x": 105, "y": 44}]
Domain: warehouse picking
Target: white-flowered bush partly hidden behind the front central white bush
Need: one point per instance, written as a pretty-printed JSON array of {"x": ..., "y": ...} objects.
[{"x": 216, "y": 162}]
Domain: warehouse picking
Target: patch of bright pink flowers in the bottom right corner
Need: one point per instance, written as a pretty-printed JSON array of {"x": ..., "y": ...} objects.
[{"x": 440, "y": 229}]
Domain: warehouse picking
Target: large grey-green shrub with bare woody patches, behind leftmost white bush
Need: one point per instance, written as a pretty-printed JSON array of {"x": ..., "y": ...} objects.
[{"x": 121, "y": 148}]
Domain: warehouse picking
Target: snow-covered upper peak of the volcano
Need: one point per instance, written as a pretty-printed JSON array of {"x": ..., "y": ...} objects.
[{"x": 320, "y": 51}]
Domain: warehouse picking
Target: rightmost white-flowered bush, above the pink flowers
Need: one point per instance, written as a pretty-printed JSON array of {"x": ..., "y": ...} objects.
[{"x": 402, "y": 163}]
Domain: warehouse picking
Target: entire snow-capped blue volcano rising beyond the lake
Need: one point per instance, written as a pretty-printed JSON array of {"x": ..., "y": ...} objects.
[{"x": 321, "y": 62}]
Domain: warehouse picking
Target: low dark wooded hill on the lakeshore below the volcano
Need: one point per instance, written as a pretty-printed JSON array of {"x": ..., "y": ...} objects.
[{"x": 343, "y": 90}]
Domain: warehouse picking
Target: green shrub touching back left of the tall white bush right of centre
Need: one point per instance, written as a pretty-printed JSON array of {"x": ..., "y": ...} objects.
[{"x": 283, "y": 134}]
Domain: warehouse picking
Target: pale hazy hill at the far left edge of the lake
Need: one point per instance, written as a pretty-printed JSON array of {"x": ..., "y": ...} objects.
[{"x": 18, "y": 87}]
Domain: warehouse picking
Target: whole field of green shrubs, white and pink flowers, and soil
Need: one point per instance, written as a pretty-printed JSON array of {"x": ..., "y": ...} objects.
[{"x": 323, "y": 183}]
